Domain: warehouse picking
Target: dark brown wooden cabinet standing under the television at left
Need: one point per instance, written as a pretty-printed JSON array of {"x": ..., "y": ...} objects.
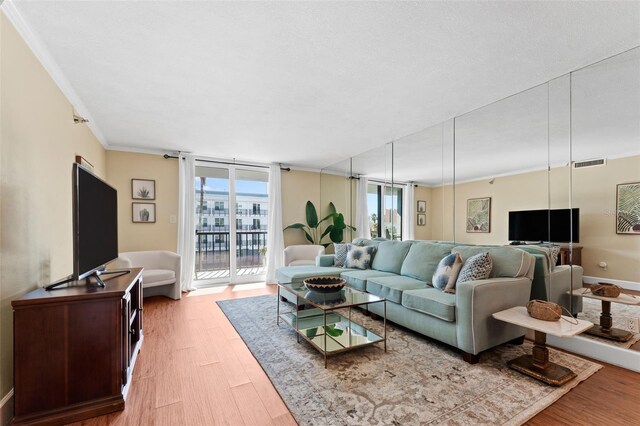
[{"x": 75, "y": 348}]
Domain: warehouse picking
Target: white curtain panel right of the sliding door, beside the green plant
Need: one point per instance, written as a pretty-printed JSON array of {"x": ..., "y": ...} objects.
[{"x": 275, "y": 239}]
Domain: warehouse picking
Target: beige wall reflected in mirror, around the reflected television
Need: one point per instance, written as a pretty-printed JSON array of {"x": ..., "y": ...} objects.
[{"x": 594, "y": 193}]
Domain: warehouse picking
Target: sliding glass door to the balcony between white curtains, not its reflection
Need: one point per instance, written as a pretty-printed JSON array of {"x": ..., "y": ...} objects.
[{"x": 231, "y": 224}]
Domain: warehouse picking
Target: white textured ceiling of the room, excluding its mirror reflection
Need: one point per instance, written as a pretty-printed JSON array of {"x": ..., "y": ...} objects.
[{"x": 308, "y": 83}]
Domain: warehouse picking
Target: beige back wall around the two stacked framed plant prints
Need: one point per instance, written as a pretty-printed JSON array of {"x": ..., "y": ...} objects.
[{"x": 161, "y": 235}]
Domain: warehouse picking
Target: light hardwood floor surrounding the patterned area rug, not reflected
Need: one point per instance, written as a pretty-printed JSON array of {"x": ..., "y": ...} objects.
[{"x": 194, "y": 369}]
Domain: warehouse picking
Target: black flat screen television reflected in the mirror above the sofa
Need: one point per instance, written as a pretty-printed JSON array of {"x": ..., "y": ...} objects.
[{"x": 557, "y": 226}]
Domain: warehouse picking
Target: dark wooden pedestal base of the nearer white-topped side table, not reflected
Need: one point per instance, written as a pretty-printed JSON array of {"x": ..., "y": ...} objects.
[{"x": 538, "y": 366}]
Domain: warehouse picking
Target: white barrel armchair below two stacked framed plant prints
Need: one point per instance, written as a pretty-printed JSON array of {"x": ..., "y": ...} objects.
[{"x": 161, "y": 275}]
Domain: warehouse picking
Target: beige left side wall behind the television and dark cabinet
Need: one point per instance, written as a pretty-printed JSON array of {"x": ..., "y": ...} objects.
[{"x": 38, "y": 144}]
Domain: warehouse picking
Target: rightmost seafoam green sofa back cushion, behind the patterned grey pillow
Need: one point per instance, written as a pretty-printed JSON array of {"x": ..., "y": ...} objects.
[{"x": 508, "y": 262}]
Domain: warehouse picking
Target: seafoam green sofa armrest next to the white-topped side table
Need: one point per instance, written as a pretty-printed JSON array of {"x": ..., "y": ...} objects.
[{"x": 477, "y": 301}]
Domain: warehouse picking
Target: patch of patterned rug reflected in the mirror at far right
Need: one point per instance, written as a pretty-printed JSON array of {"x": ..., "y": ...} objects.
[{"x": 621, "y": 314}]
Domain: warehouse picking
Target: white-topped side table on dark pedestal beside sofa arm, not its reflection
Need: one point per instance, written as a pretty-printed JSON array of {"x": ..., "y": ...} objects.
[{"x": 537, "y": 365}]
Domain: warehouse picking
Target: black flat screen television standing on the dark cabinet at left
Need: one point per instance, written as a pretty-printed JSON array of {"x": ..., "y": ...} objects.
[{"x": 95, "y": 223}]
